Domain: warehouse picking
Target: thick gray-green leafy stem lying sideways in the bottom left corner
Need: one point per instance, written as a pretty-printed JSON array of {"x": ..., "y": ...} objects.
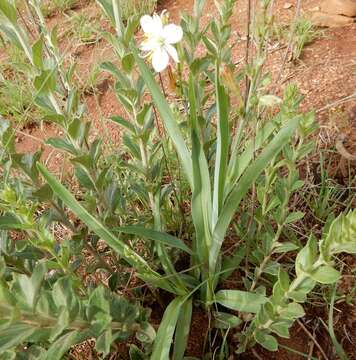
[{"x": 43, "y": 309}]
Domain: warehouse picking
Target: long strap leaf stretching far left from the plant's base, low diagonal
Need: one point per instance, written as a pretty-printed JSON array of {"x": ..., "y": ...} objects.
[{"x": 136, "y": 261}]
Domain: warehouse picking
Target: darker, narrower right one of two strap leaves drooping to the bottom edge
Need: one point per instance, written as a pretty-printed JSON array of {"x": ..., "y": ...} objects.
[{"x": 182, "y": 331}]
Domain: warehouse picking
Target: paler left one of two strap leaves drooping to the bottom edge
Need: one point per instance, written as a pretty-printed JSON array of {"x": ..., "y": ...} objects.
[{"x": 162, "y": 345}]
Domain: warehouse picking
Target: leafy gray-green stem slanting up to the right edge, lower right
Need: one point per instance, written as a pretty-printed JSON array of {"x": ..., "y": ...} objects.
[{"x": 314, "y": 264}]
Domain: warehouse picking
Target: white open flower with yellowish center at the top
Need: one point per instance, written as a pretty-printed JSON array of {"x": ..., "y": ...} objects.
[{"x": 159, "y": 40}]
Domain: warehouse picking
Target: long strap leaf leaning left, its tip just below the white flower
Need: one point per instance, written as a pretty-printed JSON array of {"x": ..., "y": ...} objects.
[{"x": 167, "y": 116}]
